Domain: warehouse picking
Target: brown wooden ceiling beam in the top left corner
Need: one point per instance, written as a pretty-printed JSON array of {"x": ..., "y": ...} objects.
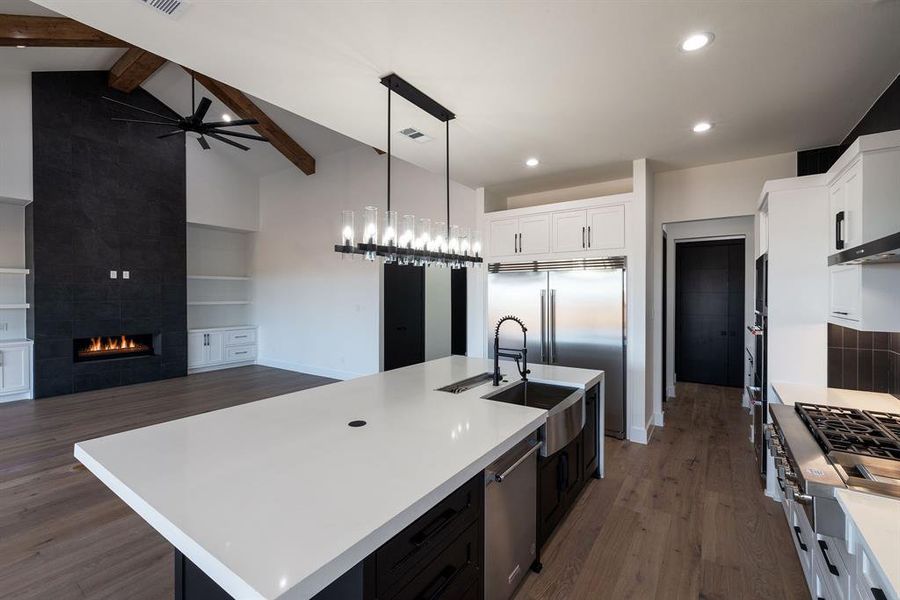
[{"x": 58, "y": 32}]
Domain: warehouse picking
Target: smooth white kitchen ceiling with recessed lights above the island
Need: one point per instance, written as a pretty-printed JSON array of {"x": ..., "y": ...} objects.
[{"x": 578, "y": 84}]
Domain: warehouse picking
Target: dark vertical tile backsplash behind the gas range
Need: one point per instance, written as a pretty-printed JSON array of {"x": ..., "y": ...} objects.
[{"x": 863, "y": 360}]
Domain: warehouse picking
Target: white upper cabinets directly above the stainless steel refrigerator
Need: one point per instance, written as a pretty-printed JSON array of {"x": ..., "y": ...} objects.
[{"x": 576, "y": 229}]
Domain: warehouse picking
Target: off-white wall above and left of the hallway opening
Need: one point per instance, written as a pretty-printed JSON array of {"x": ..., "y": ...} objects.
[{"x": 709, "y": 192}]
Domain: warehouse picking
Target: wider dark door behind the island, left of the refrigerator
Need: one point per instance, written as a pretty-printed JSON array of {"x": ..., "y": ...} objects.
[{"x": 404, "y": 316}]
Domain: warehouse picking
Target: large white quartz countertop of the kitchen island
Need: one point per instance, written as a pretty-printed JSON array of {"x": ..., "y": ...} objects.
[{"x": 278, "y": 498}]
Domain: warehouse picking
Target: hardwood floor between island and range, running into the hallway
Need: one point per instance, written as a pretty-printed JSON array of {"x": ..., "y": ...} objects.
[{"x": 683, "y": 517}]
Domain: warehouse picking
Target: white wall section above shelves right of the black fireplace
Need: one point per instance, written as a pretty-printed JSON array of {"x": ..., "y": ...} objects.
[{"x": 220, "y": 192}]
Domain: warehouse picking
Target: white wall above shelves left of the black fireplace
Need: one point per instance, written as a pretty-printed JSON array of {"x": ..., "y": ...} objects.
[{"x": 15, "y": 135}]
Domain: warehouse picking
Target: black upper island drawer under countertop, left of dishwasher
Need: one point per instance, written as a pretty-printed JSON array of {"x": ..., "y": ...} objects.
[{"x": 424, "y": 539}]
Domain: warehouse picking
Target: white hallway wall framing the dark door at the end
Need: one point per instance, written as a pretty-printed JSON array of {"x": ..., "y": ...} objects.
[{"x": 730, "y": 227}]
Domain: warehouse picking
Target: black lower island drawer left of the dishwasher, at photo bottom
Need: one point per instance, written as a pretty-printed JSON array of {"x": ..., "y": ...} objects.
[{"x": 451, "y": 574}]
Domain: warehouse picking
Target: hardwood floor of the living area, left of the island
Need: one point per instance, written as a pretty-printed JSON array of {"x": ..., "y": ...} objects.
[{"x": 63, "y": 534}]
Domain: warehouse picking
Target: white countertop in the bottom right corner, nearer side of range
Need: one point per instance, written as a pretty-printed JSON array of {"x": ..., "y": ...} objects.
[{"x": 878, "y": 520}]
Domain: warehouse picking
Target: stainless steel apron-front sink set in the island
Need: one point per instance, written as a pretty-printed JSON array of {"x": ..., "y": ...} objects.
[{"x": 564, "y": 405}]
